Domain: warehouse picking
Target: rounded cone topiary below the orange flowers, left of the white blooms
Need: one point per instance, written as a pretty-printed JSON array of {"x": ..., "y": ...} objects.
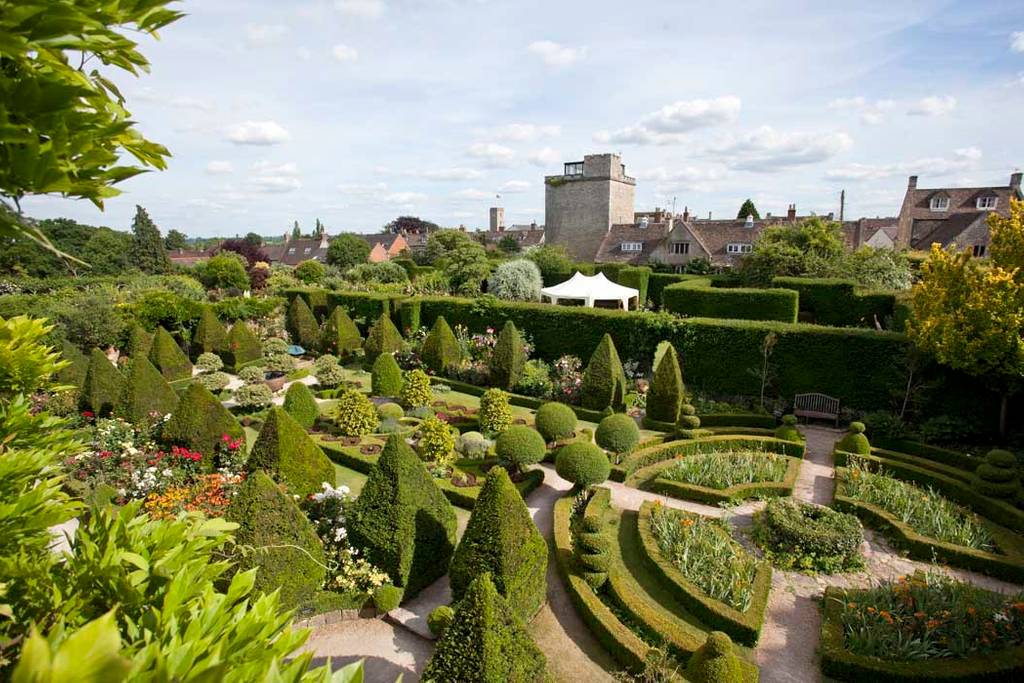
[{"x": 286, "y": 548}]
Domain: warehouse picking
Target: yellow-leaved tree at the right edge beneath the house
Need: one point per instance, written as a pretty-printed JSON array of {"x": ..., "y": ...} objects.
[{"x": 971, "y": 318}]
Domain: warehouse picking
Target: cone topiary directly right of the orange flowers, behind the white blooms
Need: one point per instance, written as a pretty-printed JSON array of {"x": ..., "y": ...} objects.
[{"x": 285, "y": 451}]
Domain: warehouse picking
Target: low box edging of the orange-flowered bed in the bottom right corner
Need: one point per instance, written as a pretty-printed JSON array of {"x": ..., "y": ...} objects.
[{"x": 839, "y": 663}]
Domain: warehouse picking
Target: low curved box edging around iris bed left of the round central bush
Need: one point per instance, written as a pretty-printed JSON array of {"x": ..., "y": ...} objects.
[{"x": 743, "y": 627}]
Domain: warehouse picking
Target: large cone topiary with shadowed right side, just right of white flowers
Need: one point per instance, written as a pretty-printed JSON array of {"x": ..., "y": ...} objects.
[{"x": 403, "y": 522}]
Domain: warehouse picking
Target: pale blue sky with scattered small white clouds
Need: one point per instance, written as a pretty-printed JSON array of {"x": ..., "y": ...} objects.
[{"x": 356, "y": 112}]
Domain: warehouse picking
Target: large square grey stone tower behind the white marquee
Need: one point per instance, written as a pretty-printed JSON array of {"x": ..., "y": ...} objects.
[{"x": 585, "y": 202}]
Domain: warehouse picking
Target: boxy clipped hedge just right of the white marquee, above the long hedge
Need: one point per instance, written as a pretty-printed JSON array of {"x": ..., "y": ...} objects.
[{"x": 700, "y": 298}]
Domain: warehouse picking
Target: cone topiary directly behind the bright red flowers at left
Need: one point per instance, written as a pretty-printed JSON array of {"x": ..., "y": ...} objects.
[{"x": 200, "y": 423}]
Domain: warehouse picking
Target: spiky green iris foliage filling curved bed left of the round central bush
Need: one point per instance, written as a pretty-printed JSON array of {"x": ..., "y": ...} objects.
[{"x": 705, "y": 553}]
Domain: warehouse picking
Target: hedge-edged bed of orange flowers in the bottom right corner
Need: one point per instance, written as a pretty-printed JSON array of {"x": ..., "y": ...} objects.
[{"x": 927, "y": 627}]
